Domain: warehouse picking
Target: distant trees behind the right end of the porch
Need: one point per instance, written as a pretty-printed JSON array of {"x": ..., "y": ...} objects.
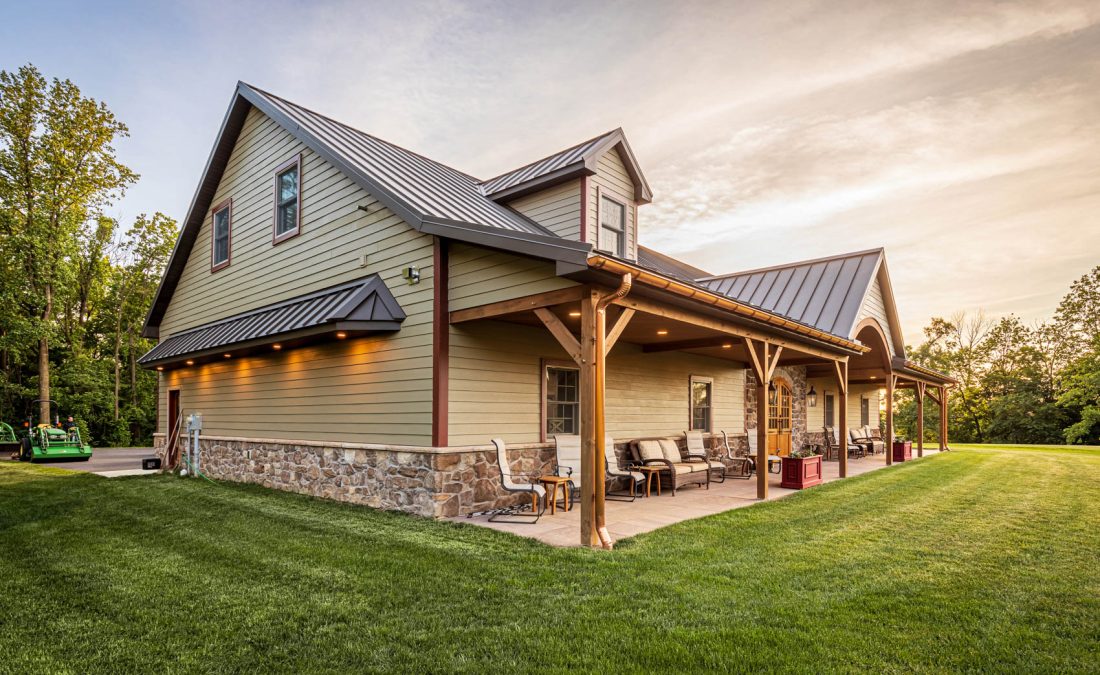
[{"x": 1017, "y": 383}]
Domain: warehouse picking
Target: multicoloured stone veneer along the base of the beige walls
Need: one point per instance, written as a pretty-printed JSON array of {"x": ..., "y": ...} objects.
[{"x": 430, "y": 482}]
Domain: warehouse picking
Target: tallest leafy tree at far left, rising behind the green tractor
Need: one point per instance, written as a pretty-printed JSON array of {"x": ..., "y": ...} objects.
[{"x": 58, "y": 171}]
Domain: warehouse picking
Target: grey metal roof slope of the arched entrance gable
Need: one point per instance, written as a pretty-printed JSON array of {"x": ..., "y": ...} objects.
[{"x": 826, "y": 294}]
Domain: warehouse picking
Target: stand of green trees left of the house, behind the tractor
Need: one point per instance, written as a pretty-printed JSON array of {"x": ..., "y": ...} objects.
[{"x": 75, "y": 284}]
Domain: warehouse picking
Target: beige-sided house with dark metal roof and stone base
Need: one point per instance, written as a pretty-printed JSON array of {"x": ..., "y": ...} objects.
[{"x": 357, "y": 322}]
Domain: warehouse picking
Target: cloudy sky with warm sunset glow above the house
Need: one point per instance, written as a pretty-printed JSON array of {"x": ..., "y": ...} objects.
[{"x": 963, "y": 137}]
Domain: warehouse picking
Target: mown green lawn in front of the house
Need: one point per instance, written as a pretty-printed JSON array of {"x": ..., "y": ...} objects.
[{"x": 981, "y": 560}]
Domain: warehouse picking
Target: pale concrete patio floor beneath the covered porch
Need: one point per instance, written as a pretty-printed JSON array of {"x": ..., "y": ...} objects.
[{"x": 628, "y": 519}]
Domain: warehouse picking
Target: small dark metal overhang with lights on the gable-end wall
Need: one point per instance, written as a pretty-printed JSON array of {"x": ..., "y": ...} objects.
[{"x": 348, "y": 311}]
